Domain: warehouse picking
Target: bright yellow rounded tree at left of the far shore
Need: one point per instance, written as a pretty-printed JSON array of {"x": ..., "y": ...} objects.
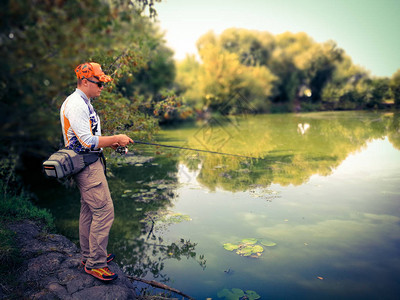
[{"x": 227, "y": 71}]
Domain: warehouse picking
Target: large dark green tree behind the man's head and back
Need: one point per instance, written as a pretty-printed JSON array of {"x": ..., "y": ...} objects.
[{"x": 43, "y": 41}]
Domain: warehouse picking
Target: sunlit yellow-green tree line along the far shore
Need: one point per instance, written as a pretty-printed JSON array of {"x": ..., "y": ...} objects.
[{"x": 288, "y": 72}]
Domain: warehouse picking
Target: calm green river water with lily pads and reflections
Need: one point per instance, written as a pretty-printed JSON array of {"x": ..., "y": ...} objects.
[{"x": 313, "y": 214}]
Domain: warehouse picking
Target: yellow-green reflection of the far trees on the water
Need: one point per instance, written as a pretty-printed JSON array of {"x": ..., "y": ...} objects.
[{"x": 291, "y": 148}]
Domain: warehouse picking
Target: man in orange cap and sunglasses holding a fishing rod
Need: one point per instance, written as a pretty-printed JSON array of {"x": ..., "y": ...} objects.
[{"x": 82, "y": 133}]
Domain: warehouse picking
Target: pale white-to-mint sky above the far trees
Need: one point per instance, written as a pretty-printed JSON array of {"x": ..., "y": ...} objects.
[{"x": 367, "y": 30}]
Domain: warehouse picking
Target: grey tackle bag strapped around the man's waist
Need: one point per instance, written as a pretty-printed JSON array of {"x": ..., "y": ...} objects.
[{"x": 66, "y": 162}]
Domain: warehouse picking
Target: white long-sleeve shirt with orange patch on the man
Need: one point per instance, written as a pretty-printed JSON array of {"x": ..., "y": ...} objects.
[{"x": 80, "y": 123}]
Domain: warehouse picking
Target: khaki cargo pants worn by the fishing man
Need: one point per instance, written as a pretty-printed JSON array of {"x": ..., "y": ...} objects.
[{"x": 97, "y": 214}]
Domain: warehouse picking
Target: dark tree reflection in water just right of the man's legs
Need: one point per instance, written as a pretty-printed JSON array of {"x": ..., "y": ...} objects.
[{"x": 142, "y": 195}]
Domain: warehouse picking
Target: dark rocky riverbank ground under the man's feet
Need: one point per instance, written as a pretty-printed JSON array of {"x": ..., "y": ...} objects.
[{"x": 52, "y": 269}]
